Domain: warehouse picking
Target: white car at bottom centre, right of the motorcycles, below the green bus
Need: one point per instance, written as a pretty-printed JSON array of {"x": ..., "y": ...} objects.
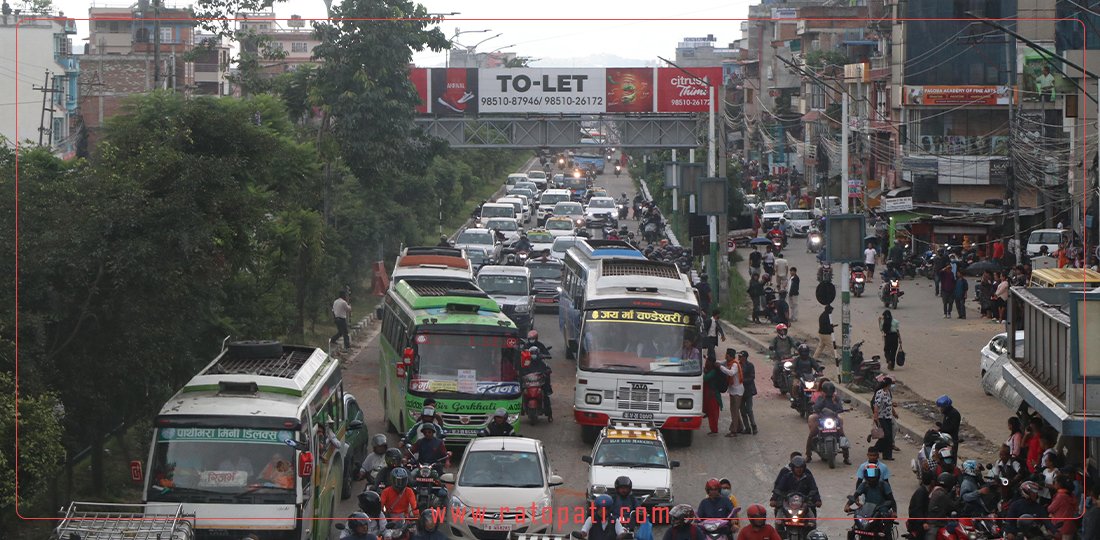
[{"x": 500, "y": 473}]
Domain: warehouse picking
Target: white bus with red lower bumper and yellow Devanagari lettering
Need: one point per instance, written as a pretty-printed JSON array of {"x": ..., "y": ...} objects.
[{"x": 630, "y": 321}]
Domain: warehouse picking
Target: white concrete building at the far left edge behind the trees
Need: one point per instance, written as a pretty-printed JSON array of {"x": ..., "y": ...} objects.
[{"x": 43, "y": 87}]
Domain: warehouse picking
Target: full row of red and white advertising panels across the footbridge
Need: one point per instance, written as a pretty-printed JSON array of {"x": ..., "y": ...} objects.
[{"x": 459, "y": 92}]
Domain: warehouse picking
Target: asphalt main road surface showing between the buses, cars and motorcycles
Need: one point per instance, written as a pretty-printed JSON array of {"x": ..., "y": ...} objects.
[{"x": 751, "y": 462}]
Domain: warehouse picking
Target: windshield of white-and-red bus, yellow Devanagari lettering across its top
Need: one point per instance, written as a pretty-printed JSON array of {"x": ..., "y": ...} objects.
[{"x": 641, "y": 341}]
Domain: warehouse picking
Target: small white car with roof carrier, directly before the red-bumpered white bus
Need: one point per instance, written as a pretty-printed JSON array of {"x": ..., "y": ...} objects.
[{"x": 636, "y": 450}]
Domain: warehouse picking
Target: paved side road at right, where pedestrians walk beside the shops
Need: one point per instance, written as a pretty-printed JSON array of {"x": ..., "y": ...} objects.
[{"x": 942, "y": 355}]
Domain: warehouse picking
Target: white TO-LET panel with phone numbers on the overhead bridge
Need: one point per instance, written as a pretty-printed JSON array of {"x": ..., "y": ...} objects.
[{"x": 543, "y": 91}]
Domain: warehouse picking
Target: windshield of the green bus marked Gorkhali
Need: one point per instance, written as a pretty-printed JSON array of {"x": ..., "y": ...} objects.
[{"x": 479, "y": 366}]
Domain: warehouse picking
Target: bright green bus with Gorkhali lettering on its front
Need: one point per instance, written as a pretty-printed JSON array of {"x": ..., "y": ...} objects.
[{"x": 448, "y": 341}]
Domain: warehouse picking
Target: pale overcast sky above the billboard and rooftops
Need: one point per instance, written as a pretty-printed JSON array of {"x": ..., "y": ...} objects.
[{"x": 547, "y": 30}]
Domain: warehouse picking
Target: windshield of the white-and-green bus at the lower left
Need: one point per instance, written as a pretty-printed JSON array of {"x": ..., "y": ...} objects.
[{"x": 202, "y": 465}]
